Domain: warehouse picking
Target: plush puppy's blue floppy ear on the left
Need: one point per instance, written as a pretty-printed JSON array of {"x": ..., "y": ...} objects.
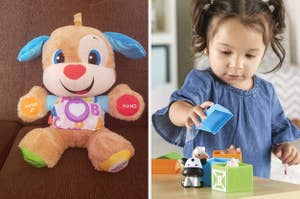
[{"x": 32, "y": 49}]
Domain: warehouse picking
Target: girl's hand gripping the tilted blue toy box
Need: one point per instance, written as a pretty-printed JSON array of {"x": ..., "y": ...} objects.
[{"x": 195, "y": 112}]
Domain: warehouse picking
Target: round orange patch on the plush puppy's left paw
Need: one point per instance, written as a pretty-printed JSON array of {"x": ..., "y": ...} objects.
[{"x": 30, "y": 106}]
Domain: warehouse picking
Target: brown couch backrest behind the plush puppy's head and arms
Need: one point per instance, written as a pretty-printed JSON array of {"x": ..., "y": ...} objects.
[{"x": 21, "y": 21}]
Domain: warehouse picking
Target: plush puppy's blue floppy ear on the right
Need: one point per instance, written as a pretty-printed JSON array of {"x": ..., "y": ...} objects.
[{"x": 125, "y": 45}]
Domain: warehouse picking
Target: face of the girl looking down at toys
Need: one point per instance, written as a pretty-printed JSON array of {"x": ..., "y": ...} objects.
[{"x": 235, "y": 52}]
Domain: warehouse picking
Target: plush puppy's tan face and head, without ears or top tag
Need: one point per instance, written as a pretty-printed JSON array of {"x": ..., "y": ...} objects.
[{"x": 78, "y": 61}]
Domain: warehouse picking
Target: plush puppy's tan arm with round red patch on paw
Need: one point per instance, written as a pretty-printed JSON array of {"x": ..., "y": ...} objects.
[{"x": 124, "y": 103}]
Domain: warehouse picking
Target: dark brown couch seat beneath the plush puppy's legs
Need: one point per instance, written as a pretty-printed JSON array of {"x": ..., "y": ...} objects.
[{"x": 74, "y": 176}]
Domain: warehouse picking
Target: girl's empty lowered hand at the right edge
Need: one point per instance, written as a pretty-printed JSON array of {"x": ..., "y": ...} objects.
[{"x": 287, "y": 153}]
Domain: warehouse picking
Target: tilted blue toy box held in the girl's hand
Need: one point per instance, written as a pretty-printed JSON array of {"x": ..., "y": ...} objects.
[{"x": 217, "y": 117}]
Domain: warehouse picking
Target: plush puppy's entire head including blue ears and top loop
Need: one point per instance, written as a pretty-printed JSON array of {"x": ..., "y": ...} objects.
[{"x": 79, "y": 60}]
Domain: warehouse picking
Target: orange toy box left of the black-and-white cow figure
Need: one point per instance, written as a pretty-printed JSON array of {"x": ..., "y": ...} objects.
[{"x": 165, "y": 166}]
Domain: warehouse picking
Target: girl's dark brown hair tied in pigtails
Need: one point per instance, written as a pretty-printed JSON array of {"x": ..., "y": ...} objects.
[{"x": 268, "y": 17}]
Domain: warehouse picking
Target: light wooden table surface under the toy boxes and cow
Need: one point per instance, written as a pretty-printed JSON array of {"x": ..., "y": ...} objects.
[{"x": 169, "y": 186}]
